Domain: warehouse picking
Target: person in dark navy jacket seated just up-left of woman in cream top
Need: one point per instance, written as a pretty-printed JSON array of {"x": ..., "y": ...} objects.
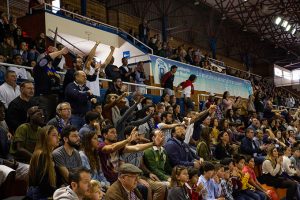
[{"x": 248, "y": 147}]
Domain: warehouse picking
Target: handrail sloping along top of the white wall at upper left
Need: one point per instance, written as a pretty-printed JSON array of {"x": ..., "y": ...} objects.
[{"x": 119, "y": 30}]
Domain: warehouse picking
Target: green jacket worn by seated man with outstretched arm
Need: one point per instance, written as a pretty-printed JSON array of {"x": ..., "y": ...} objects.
[{"x": 158, "y": 163}]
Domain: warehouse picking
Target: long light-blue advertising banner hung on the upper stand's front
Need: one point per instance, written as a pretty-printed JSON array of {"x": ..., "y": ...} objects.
[{"x": 208, "y": 81}]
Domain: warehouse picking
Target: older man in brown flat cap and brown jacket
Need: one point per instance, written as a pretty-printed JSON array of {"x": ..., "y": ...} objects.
[{"x": 125, "y": 187}]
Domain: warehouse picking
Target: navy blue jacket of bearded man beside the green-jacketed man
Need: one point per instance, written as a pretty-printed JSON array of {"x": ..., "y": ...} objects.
[{"x": 179, "y": 153}]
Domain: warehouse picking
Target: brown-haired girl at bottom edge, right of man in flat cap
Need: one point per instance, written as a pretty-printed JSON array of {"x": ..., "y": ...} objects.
[{"x": 178, "y": 189}]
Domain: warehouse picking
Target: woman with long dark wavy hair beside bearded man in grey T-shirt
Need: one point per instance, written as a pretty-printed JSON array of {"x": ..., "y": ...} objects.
[{"x": 90, "y": 158}]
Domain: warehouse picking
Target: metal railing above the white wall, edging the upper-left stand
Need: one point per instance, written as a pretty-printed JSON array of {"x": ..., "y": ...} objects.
[{"x": 122, "y": 33}]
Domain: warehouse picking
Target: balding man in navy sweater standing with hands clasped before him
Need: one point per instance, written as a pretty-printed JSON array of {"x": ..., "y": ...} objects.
[{"x": 79, "y": 96}]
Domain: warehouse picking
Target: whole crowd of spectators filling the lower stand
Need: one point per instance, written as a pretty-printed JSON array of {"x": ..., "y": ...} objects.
[{"x": 66, "y": 144}]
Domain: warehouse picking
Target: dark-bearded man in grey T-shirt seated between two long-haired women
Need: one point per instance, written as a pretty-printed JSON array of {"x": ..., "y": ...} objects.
[{"x": 67, "y": 157}]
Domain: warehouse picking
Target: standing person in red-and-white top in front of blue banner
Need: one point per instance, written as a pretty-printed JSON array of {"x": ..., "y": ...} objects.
[{"x": 188, "y": 91}]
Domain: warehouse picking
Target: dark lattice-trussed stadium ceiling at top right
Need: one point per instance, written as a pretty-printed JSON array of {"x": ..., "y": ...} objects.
[{"x": 259, "y": 16}]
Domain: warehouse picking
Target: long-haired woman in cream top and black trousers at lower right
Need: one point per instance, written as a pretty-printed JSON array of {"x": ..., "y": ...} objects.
[{"x": 272, "y": 169}]
